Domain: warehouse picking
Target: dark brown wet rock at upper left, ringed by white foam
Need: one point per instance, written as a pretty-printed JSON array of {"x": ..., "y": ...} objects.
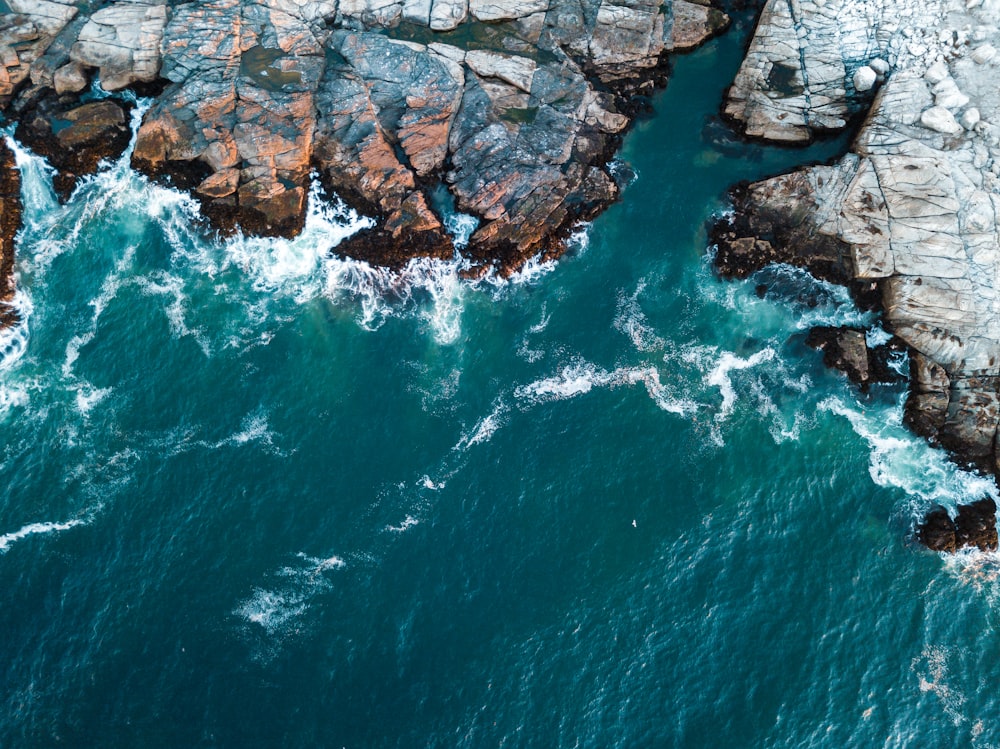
[{"x": 75, "y": 137}]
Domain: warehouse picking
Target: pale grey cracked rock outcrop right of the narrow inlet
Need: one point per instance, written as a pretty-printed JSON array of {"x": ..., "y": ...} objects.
[{"x": 912, "y": 211}]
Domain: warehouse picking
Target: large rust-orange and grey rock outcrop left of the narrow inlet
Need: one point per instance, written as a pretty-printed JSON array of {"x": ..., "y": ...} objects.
[{"x": 513, "y": 107}]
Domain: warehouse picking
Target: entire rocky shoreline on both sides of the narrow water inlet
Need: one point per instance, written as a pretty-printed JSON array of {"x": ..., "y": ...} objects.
[{"x": 513, "y": 110}]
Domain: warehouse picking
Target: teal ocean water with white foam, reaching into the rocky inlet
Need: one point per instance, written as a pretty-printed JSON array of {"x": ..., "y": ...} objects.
[{"x": 255, "y": 495}]
